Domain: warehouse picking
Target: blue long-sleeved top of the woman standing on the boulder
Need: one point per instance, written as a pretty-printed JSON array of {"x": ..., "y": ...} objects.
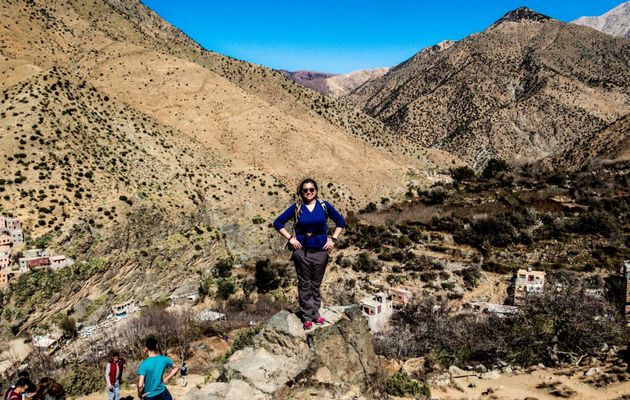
[{"x": 310, "y": 229}]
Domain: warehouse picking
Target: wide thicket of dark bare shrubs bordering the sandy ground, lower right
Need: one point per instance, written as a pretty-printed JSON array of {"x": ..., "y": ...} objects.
[{"x": 560, "y": 326}]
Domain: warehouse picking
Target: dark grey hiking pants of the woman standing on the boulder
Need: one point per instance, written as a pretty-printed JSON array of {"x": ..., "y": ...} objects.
[{"x": 310, "y": 266}]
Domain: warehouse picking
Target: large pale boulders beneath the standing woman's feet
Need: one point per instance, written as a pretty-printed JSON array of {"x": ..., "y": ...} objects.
[{"x": 335, "y": 361}]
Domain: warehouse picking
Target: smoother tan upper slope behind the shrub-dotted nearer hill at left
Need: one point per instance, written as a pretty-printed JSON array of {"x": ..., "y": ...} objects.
[{"x": 252, "y": 115}]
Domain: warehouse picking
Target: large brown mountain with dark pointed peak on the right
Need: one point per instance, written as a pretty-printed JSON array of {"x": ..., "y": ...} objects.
[{"x": 524, "y": 89}]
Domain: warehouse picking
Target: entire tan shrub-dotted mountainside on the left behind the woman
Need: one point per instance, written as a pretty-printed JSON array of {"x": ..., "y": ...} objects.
[{"x": 150, "y": 158}]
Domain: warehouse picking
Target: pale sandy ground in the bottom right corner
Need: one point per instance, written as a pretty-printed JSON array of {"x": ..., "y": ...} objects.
[{"x": 512, "y": 387}]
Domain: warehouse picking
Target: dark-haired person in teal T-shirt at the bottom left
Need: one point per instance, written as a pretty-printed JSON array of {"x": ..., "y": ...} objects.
[{"x": 150, "y": 372}]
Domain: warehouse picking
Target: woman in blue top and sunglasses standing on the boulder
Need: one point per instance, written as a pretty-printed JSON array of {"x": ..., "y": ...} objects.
[{"x": 310, "y": 245}]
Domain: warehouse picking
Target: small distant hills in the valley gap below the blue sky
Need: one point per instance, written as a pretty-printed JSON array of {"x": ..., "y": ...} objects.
[{"x": 335, "y": 85}]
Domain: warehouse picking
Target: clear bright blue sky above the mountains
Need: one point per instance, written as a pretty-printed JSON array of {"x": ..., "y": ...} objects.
[{"x": 344, "y": 35}]
